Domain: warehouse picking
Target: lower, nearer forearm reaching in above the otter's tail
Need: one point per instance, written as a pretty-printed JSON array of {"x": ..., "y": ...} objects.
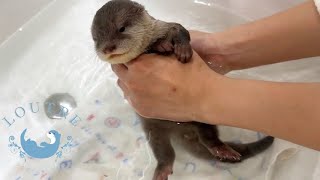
[{"x": 285, "y": 110}]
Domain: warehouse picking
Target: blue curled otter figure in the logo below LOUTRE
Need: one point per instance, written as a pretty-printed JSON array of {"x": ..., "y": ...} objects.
[{"x": 44, "y": 150}]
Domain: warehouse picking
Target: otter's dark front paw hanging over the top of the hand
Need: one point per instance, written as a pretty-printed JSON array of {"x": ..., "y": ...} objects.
[{"x": 183, "y": 52}]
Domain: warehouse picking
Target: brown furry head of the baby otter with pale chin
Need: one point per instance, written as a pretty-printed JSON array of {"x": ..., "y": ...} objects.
[{"x": 118, "y": 30}]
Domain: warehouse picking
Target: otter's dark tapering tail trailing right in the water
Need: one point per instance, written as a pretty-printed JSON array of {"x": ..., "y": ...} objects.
[{"x": 251, "y": 149}]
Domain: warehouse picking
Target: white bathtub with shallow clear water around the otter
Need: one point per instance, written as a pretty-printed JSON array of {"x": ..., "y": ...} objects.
[{"x": 48, "y": 49}]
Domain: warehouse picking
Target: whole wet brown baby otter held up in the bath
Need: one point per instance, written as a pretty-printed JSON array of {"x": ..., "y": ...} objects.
[{"x": 122, "y": 30}]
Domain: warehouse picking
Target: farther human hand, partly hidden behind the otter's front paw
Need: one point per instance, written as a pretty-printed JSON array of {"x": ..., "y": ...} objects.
[{"x": 210, "y": 50}]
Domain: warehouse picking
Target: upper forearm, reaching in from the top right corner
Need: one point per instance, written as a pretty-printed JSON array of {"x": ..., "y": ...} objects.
[{"x": 289, "y": 35}]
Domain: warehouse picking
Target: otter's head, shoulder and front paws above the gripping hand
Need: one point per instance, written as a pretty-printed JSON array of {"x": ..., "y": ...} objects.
[{"x": 123, "y": 29}]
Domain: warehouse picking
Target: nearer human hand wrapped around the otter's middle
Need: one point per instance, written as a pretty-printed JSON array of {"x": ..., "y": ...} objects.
[{"x": 161, "y": 87}]
